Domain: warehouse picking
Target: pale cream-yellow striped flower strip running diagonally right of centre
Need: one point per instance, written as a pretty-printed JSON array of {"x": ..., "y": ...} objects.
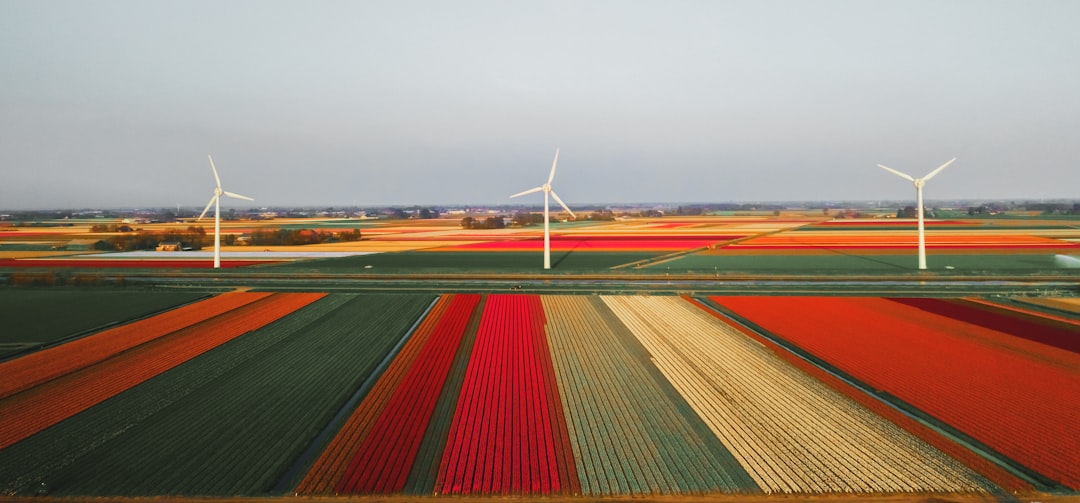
[{"x": 791, "y": 432}]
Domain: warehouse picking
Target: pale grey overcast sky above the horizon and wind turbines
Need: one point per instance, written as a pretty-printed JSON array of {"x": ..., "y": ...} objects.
[{"x": 116, "y": 104}]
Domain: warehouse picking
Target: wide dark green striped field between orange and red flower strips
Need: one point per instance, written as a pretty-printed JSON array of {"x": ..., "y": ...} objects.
[{"x": 232, "y": 422}]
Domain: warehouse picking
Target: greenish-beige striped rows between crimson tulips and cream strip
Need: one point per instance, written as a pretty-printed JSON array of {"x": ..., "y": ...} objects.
[{"x": 628, "y": 425}]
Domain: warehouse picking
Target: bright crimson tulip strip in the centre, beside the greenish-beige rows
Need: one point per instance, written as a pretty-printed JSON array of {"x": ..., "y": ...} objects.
[{"x": 509, "y": 434}]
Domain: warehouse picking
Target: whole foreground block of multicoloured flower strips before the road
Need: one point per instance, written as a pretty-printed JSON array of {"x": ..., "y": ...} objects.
[{"x": 316, "y": 395}]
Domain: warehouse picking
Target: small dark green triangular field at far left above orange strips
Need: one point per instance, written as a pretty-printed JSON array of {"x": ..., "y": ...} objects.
[{"x": 34, "y": 318}]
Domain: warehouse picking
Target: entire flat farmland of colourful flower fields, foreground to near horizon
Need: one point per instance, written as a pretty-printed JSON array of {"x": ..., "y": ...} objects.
[{"x": 460, "y": 389}]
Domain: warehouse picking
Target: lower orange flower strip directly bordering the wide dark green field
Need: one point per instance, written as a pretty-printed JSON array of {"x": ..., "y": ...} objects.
[{"x": 40, "y": 407}]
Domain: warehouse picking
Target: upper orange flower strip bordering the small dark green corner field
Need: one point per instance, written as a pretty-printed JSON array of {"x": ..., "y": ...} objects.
[{"x": 36, "y": 369}]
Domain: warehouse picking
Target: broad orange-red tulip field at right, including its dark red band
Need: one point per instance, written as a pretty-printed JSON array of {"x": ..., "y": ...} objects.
[{"x": 1017, "y": 396}]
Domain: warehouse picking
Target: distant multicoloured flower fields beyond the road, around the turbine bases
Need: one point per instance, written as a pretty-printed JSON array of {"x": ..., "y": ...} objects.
[{"x": 712, "y": 246}]
